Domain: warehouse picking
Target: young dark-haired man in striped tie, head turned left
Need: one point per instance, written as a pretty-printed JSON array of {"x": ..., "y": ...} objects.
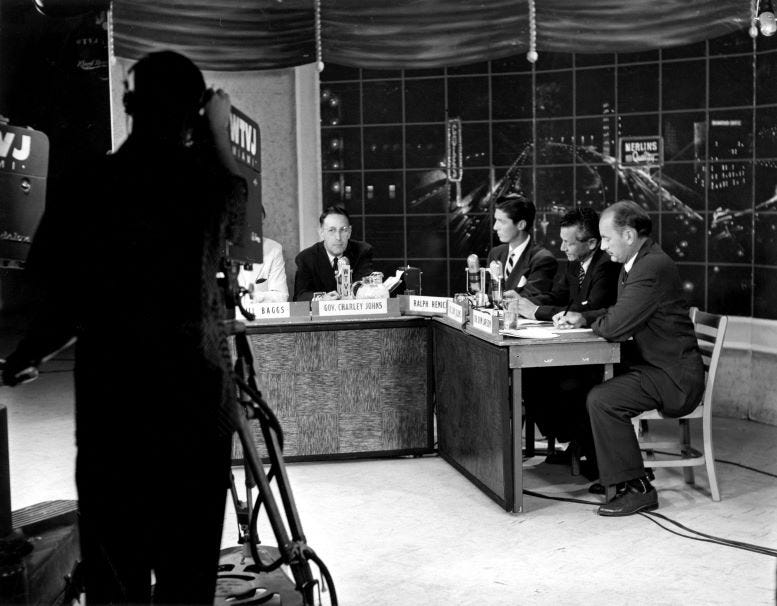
[{"x": 528, "y": 268}]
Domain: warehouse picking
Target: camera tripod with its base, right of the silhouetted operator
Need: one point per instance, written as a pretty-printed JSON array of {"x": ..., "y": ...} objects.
[{"x": 239, "y": 581}]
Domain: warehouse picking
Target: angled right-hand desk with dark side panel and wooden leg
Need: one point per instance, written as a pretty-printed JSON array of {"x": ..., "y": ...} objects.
[{"x": 478, "y": 379}]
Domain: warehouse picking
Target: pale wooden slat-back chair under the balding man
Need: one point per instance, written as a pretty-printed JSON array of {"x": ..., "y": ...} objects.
[{"x": 710, "y": 331}]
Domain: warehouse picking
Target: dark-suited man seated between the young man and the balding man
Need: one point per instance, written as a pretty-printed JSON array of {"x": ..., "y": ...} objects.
[{"x": 555, "y": 397}]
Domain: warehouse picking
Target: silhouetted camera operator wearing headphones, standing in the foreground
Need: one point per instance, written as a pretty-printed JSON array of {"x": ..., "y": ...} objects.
[{"x": 126, "y": 262}]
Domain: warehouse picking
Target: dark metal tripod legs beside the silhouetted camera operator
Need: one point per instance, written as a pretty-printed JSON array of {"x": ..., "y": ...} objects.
[{"x": 292, "y": 545}]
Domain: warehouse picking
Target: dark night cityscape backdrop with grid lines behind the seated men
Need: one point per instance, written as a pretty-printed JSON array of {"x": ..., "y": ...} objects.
[{"x": 713, "y": 199}]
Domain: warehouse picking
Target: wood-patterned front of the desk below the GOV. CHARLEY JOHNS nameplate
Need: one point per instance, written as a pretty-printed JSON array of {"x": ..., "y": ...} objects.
[{"x": 347, "y": 387}]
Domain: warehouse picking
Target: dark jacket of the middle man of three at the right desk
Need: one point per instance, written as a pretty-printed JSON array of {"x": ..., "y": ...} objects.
[{"x": 598, "y": 290}]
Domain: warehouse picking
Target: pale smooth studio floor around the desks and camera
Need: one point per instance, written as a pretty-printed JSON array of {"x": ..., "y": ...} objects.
[{"x": 414, "y": 532}]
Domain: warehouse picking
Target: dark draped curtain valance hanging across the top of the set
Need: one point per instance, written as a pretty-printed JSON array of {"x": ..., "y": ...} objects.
[{"x": 232, "y": 35}]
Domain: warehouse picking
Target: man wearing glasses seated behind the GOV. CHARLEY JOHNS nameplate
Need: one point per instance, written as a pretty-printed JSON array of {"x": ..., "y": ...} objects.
[{"x": 316, "y": 265}]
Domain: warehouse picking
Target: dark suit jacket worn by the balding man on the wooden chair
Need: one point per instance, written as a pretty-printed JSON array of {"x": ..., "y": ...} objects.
[{"x": 651, "y": 310}]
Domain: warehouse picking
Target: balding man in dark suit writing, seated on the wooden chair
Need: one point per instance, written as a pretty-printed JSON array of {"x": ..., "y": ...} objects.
[{"x": 661, "y": 367}]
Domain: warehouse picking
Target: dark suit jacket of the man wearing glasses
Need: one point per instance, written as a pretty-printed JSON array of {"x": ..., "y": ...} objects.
[{"x": 315, "y": 273}]
